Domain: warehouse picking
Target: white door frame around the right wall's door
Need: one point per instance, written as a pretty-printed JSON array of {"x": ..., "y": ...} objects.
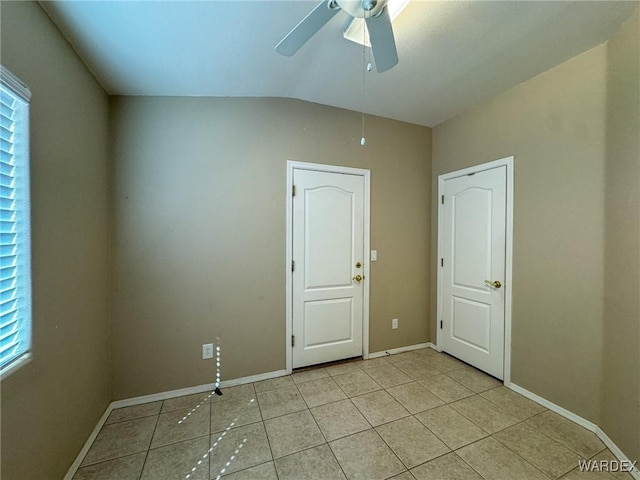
[{"x": 508, "y": 284}]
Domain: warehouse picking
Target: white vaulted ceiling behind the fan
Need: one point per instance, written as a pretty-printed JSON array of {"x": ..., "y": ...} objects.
[{"x": 453, "y": 55}]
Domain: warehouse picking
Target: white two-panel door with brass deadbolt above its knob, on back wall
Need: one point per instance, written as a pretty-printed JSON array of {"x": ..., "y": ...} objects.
[{"x": 328, "y": 256}]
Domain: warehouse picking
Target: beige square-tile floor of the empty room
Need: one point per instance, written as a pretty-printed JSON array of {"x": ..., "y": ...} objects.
[{"x": 419, "y": 415}]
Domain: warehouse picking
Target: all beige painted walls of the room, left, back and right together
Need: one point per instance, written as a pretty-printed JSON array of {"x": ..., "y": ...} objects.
[{"x": 199, "y": 231}]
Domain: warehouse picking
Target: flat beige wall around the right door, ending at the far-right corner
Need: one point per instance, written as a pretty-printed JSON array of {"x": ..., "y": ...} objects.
[{"x": 554, "y": 126}]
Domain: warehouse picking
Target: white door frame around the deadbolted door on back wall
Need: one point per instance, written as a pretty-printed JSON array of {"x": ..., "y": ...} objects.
[{"x": 295, "y": 165}]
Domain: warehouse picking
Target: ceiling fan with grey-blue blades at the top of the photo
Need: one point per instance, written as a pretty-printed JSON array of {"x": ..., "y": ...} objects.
[{"x": 375, "y": 14}]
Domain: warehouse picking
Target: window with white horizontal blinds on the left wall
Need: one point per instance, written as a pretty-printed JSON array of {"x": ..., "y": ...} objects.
[{"x": 15, "y": 228}]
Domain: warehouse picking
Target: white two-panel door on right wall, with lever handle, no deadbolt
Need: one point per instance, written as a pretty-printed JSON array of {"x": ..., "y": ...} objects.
[{"x": 472, "y": 245}]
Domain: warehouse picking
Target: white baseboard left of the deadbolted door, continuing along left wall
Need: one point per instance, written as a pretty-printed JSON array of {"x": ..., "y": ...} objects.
[{"x": 129, "y": 402}]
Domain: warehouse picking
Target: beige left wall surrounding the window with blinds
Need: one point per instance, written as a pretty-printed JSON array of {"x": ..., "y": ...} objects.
[{"x": 51, "y": 405}]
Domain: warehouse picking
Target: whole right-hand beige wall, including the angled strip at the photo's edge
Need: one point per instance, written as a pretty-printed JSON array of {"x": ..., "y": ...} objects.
[{"x": 575, "y": 133}]
